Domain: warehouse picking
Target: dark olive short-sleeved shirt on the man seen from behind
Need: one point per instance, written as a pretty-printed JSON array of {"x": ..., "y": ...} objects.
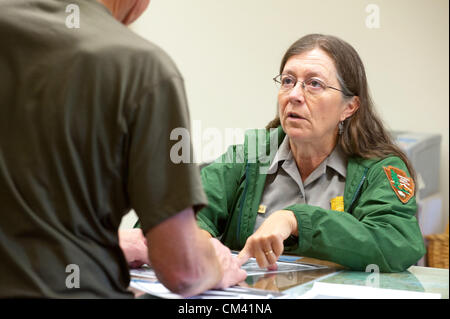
[{"x": 85, "y": 122}]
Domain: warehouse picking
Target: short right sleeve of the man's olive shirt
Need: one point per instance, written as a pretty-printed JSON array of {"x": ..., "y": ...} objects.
[{"x": 159, "y": 184}]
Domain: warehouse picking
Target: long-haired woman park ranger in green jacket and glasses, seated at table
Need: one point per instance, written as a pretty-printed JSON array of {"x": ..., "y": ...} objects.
[{"x": 336, "y": 188}]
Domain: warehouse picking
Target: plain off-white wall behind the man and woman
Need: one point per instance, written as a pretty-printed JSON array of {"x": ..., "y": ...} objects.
[{"x": 228, "y": 52}]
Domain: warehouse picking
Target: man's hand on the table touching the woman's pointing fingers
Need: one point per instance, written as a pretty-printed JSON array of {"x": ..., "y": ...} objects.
[{"x": 232, "y": 272}]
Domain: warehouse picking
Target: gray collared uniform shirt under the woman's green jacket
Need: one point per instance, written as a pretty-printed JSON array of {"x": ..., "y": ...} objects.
[{"x": 284, "y": 186}]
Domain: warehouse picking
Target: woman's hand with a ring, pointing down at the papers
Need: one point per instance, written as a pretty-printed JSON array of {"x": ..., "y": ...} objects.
[{"x": 266, "y": 244}]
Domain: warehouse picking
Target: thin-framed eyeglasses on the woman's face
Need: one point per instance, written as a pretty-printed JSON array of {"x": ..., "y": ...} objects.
[{"x": 312, "y": 86}]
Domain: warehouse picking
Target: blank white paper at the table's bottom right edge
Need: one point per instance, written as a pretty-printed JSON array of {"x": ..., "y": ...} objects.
[{"x": 322, "y": 290}]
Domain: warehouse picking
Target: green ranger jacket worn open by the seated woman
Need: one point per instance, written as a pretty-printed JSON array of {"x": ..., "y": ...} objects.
[{"x": 374, "y": 228}]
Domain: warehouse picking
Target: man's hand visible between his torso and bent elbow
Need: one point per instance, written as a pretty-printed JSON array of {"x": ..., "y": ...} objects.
[{"x": 134, "y": 247}]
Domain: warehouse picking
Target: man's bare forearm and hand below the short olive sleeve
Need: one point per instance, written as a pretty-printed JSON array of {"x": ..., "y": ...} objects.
[{"x": 186, "y": 261}]
